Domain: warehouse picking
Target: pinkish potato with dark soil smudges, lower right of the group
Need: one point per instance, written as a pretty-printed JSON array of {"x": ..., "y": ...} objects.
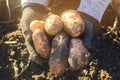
[{"x": 78, "y": 55}]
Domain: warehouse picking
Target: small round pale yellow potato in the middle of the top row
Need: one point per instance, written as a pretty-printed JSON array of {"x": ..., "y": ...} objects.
[{"x": 53, "y": 24}]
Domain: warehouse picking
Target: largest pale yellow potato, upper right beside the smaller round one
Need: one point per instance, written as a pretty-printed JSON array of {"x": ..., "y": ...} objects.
[{"x": 73, "y": 23}]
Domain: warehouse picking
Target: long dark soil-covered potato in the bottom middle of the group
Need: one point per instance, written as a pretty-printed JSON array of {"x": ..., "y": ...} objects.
[{"x": 59, "y": 54}]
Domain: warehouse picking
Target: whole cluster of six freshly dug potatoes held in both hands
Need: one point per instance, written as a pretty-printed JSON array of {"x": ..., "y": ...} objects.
[{"x": 66, "y": 49}]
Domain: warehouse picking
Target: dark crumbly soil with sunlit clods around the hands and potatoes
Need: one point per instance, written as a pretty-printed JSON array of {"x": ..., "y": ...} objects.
[{"x": 103, "y": 65}]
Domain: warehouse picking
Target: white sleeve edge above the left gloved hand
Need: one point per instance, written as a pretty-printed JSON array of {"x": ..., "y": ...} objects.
[{"x": 42, "y": 2}]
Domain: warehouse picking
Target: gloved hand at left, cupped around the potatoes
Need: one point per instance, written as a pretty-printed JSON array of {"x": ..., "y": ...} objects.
[{"x": 29, "y": 14}]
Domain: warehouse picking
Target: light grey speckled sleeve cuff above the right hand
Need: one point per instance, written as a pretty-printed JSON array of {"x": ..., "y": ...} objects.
[{"x": 94, "y": 8}]
